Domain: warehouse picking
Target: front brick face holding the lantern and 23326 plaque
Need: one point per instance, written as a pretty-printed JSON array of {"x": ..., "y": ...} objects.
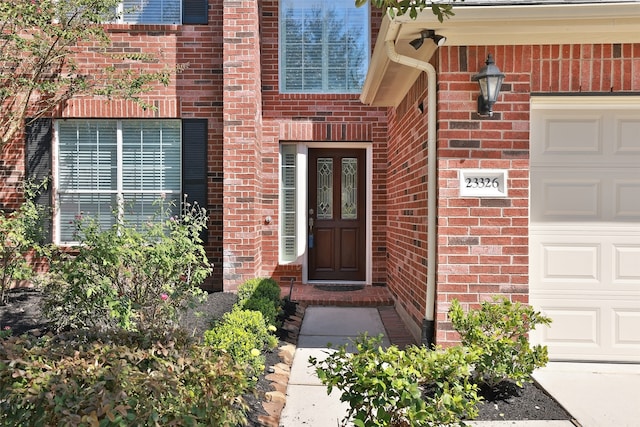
[{"x": 483, "y": 242}]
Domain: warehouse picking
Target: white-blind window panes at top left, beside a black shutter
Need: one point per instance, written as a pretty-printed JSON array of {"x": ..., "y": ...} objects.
[{"x": 152, "y": 11}]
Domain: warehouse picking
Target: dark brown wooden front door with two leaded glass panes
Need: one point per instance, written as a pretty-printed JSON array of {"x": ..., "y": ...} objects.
[{"x": 337, "y": 215}]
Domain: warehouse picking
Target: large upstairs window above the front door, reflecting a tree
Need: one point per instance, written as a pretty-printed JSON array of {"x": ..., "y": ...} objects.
[{"x": 324, "y": 46}]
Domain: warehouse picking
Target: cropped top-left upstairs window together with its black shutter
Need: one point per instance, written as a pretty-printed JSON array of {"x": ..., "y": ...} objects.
[{"x": 163, "y": 11}]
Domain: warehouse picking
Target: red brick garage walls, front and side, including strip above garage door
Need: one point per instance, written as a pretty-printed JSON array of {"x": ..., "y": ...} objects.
[{"x": 482, "y": 243}]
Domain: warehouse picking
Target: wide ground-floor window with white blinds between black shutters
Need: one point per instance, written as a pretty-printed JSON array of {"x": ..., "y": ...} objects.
[{"x": 111, "y": 169}]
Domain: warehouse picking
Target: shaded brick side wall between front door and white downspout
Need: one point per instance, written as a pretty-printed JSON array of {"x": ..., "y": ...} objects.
[{"x": 407, "y": 206}]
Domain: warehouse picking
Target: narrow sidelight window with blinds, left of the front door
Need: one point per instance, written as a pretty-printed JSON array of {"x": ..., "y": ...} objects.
[{"x": 288, "y": 201}]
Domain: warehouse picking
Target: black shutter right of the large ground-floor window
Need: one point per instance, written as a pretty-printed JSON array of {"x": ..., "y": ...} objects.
[{"x": 194, "y": 162}]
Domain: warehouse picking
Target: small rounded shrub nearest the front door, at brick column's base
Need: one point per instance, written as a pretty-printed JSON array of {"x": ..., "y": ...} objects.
[{"x": 263, "y": 295}]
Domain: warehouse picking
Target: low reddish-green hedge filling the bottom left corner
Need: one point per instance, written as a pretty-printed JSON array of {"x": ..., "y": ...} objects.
[{"x": 118, "y": 380}]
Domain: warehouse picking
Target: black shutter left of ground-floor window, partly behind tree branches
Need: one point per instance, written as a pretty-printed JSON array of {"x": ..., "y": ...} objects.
[{"x": 38, "y": 162}]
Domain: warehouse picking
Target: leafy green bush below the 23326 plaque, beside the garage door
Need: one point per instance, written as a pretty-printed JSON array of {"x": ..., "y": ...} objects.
[{"x": 500, "y": 332}]
